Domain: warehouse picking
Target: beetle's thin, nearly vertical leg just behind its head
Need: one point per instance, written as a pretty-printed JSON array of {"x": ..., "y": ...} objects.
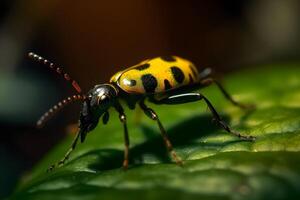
[{"x": 122, "y": 118}]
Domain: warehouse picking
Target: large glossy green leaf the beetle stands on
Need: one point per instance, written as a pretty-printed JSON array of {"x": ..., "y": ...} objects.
[{"x": 217, "y": 165}]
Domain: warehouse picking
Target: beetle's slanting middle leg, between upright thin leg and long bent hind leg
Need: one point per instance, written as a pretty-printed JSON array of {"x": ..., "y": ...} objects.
[{"x": 152, "y": 115}]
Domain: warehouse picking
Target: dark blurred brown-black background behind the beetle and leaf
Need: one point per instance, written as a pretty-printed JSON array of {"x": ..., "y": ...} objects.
[{"x": 94, "y": 39}]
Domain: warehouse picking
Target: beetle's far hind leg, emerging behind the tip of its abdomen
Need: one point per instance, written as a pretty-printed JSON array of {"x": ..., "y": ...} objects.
[{"x": 209, "y": 81}]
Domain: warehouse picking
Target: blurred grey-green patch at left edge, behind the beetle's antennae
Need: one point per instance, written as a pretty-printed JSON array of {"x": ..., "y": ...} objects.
[{"x": 20, "y": 97}]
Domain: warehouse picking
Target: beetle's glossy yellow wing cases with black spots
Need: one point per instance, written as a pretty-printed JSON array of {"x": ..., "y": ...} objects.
[{"x": 157, "y": 75}]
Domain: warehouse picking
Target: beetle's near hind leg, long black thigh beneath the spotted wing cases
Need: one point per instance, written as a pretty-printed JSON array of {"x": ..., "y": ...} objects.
[{"x": 191, "y": 97}]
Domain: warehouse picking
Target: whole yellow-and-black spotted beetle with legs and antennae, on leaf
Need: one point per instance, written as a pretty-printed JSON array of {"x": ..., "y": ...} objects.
[{"x": 161, "y": 80}]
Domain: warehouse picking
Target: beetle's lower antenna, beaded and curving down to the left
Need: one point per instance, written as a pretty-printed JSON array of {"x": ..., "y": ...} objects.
[{"x": 52, "y": 111}]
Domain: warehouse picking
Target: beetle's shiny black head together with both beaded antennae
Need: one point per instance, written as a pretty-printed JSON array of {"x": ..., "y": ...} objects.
[{"x": 95, "y": 103}]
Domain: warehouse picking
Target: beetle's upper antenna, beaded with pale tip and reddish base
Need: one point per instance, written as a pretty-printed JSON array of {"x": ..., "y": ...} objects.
[{"x": 57, "y": 69}]
